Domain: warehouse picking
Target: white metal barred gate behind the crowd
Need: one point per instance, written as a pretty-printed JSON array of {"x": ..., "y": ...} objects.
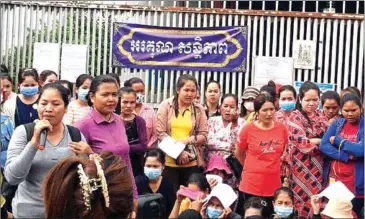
[{"x": 340, "y": 39}]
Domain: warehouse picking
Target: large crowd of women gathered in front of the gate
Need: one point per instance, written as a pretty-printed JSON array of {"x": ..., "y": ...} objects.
[{"x": 89, "y": 150}]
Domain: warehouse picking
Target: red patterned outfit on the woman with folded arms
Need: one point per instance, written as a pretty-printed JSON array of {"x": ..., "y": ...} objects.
[{"x": 306, "y": 163}]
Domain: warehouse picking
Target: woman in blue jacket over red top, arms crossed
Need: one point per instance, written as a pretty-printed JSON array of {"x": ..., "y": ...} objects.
[{"x": 343, "y": 144}]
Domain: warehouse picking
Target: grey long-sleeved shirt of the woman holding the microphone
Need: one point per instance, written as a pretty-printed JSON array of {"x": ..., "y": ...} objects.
[{"x": 28, "y": 166}]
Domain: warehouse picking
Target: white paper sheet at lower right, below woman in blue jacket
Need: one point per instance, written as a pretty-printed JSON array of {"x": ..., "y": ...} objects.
[{"x": 337, "y": 191}]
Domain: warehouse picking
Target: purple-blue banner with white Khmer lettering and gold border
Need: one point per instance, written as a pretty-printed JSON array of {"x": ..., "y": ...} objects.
[{"x": 170, "y": 48}]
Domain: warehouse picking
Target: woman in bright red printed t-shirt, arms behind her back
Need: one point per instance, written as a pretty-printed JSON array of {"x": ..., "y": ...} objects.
[{"x": 260, "y": 146}]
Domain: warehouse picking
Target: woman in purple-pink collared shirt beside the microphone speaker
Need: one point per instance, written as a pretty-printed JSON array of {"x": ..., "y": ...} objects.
[{"x": 102, "y": 128}]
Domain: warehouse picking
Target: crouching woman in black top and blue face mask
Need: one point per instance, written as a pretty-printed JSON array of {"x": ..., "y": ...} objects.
[{"x": 152, "y": 181}]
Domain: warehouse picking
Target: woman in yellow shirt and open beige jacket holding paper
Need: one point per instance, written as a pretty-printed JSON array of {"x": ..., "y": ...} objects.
[{"x": 178, "y": 117}]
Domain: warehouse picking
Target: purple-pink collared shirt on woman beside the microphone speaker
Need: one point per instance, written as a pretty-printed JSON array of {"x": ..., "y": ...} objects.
[{"x": 107, "y": 136}]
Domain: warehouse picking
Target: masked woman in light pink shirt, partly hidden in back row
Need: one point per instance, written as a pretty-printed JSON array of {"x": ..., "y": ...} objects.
[{"x": 143, "y": 110}]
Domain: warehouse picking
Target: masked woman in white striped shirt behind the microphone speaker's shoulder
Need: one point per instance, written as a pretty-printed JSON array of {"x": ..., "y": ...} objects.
[{"x": 79, "y": 108}]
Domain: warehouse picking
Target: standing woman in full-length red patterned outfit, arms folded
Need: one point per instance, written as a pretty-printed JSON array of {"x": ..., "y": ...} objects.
[{"x": 306, "y": 127}]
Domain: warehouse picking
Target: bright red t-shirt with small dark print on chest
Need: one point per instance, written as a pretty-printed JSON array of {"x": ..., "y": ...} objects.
[{"x": 261, "y": 170}]
